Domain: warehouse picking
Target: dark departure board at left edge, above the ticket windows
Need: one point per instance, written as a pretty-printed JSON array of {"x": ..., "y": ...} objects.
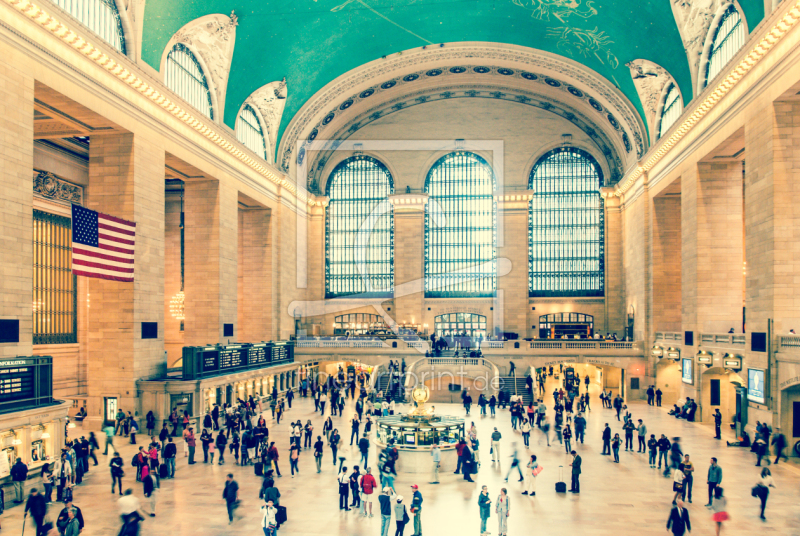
[{"x": 25, "y": 382}]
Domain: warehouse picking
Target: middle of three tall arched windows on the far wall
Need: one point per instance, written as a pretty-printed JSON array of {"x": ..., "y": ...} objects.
[{"x": 460, "y": 228}]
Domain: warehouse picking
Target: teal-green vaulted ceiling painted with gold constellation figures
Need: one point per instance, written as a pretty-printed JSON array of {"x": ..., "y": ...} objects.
[{"x": 313, "y": 42}]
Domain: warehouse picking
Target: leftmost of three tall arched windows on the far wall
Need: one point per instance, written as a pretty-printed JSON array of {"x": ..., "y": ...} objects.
[{"x": 359, "y": 230}]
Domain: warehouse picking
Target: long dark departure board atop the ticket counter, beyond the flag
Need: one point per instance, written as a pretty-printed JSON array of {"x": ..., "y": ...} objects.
[{"x": 206, "y": 361}]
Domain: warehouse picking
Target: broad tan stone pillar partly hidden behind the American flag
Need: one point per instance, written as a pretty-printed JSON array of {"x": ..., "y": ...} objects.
[{"x": 126, "y": 180}]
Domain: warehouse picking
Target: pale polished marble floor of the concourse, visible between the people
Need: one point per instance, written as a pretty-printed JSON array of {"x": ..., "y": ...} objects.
[{"x": 625, "y": 498}]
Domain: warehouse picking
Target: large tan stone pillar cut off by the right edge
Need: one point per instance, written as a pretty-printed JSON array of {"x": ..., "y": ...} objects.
[{"x": 772, "y": 237}]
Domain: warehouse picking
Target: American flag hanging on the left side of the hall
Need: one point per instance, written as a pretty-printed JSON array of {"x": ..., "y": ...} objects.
[{"x": 102, "y": 245}]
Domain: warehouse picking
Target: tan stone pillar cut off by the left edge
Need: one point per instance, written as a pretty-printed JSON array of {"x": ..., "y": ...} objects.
[{"x": 16, "y": 225}]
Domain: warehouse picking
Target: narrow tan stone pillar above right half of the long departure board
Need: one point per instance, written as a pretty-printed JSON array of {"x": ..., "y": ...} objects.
[{"x": 255, "y": 281}]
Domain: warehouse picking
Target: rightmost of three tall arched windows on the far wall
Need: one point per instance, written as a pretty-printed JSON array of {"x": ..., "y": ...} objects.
[{"x": 566, "y": 243}]
